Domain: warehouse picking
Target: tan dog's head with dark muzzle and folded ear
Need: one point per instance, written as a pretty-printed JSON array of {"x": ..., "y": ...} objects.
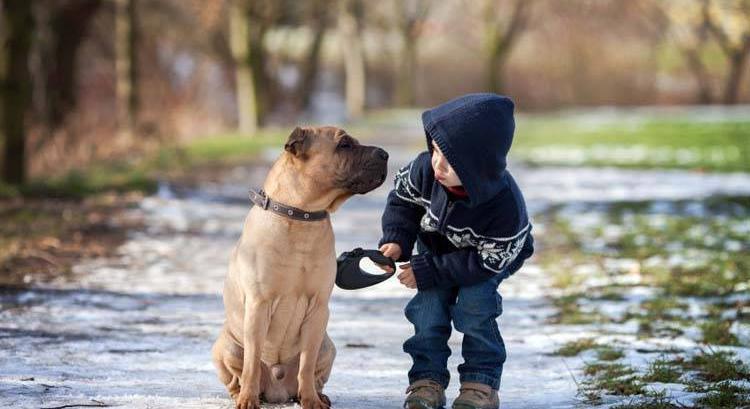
[{"x": 336, "y": 160}]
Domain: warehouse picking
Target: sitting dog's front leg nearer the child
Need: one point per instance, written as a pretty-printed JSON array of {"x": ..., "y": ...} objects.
[{"x": 311, "y": 337}]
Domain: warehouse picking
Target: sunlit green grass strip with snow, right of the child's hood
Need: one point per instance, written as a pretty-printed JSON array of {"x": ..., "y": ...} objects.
[{"x": 634, "y": 143}]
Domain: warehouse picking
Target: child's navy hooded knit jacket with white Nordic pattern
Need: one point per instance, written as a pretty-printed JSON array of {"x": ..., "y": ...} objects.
[{"x": 461, "y": 241}]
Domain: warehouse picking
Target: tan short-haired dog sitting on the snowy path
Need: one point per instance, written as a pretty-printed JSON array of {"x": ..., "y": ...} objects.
[{"x": 274, "y": 343}]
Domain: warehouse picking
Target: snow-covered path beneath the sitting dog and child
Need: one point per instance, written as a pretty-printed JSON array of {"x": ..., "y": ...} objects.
[{"x": 136, "y": 331}]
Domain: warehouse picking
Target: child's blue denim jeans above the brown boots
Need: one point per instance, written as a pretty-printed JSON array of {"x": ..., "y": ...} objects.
[{"x": 473, "y": 310}]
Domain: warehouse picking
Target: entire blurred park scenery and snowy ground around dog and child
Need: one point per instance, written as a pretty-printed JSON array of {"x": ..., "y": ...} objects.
[{"x": 131, "y": 130}]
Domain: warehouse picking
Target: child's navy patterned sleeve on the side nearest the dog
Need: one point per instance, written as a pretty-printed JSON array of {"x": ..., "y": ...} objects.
[{"x": 404, "y": 210}]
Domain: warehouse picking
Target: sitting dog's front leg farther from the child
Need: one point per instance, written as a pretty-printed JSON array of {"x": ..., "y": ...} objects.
[{"x": 255, "y": 328}]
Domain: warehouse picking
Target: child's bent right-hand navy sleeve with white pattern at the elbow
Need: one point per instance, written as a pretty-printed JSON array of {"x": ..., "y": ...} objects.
[{"x": 469, "y": 266}]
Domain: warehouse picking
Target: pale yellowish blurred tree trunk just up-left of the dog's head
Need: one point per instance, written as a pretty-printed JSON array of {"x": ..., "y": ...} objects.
[{"x": 239, "y": 40}]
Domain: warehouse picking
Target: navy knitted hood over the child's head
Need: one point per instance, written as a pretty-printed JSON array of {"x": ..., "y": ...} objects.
[{"x": 475, "y": 133}]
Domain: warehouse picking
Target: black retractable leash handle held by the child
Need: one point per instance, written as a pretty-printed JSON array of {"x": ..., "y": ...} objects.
[{"x": 349, "y": 276}]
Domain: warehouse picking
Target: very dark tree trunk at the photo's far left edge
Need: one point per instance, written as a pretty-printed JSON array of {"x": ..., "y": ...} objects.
[{"x": 15, "y": 86}]
